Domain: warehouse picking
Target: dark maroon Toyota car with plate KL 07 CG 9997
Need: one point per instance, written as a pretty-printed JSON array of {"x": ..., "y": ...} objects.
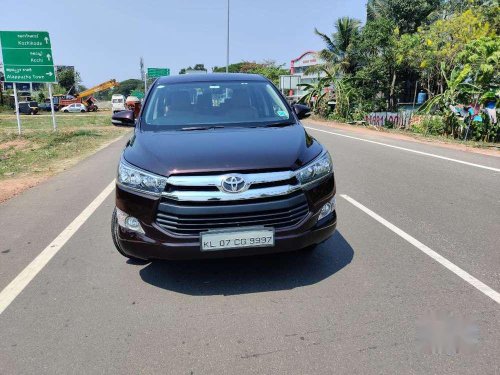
[{"x": 219, "y": 165}]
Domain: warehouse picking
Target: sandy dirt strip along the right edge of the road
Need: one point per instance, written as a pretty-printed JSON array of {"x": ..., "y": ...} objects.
[{"x": 410, "y": 137}]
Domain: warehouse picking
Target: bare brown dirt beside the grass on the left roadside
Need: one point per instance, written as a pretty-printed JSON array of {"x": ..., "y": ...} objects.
[{"x": 14, "y": 186}]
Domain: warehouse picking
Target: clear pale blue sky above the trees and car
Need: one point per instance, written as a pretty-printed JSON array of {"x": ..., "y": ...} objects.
[{"x": 104, "y": 39}]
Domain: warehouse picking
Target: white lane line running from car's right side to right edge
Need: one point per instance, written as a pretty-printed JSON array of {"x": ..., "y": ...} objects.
[{"x": 485, "y": 289}]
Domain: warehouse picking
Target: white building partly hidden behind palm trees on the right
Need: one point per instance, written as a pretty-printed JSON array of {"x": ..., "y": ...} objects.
[{"x": 299, "y": 74}]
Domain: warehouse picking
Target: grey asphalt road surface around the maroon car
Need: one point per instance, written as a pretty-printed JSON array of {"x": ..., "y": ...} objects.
[{"x": 372, "y": 299}]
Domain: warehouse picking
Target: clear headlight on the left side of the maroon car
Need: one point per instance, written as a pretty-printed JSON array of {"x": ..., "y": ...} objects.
[{"x": 138, "y": 179}]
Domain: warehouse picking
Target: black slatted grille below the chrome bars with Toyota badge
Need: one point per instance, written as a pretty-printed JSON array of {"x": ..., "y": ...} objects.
[{"x": 191, "y": 218}]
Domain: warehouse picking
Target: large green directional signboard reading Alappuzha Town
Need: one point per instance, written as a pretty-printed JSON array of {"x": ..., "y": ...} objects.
[{"x": 27, "y": 56}]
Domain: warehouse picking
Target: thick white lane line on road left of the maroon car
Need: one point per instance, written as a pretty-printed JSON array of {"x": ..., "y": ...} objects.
[{"x": 17, "y": 285}]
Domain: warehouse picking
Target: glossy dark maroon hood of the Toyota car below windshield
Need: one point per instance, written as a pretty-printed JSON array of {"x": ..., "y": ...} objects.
[{"x": 222, "y": 150}]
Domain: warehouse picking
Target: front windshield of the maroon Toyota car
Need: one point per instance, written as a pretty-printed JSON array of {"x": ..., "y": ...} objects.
[{"x": 223, "y": 103}]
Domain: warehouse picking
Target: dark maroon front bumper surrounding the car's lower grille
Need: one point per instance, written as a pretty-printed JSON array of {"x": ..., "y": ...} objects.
[{"x": 158, "y": 243}]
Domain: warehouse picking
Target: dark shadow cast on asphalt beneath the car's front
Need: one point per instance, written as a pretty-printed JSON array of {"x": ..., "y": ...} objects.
[{"x": 250, "y": 274}]
